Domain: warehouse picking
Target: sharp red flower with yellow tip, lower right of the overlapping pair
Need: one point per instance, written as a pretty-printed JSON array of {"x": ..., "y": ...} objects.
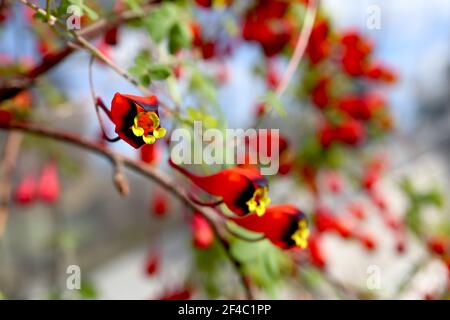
[{"x": 284, "y": 225}]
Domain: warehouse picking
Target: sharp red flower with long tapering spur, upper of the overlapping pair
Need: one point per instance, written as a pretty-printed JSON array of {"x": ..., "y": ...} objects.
[{"x": 242, "y": 190}]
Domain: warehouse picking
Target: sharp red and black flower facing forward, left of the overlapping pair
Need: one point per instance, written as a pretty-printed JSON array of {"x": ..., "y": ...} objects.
[{"x": 136, "y": 119}]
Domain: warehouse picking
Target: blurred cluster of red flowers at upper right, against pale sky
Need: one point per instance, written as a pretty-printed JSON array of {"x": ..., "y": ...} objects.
[{"x": 357, "y": 109}]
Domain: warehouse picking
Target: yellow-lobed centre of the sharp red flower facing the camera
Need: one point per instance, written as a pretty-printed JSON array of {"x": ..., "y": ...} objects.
[{"x": 146, "y": 125}]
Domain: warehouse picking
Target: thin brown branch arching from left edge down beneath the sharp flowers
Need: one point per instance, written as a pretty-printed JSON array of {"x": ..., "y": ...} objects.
[{"x": 160, "y": 177}]
